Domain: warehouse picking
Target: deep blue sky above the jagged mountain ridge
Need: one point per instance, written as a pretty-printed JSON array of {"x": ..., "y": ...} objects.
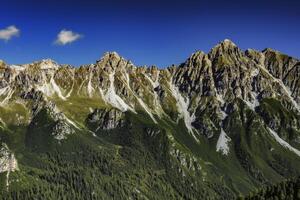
[{"x": 146, "y": 32}]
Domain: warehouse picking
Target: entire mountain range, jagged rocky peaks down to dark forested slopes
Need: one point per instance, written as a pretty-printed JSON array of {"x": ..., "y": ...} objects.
[{"x": 221, "y": 125}]
